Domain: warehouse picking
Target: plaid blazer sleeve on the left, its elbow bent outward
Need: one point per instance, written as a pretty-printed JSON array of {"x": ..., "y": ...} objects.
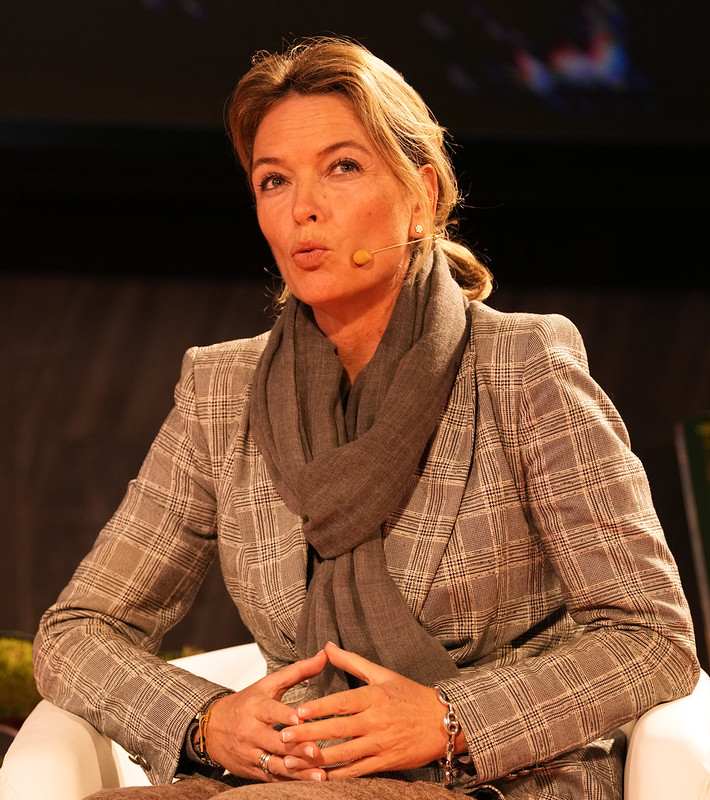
[{"x": 95, "y": 649}]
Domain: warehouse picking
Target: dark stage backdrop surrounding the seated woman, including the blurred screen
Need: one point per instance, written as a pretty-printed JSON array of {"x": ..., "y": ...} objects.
[{"x": 581, "y": 133}]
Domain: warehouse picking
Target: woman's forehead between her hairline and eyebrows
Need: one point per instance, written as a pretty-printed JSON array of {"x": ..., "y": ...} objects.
[{"x": 308, "y": 122}]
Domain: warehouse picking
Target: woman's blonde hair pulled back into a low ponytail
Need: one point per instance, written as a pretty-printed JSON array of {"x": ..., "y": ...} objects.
[{"x": 400, "y": 124}]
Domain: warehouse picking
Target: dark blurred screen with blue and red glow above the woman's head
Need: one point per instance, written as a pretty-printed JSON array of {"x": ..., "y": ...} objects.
[{"x": 576, "y": 69}]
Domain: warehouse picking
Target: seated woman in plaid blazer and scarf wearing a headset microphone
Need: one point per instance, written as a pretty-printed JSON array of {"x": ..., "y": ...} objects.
[{"x": 423, "y": 507}]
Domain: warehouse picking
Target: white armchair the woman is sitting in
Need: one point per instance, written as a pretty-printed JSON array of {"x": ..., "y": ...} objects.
[{"x": 58, "y": 755}]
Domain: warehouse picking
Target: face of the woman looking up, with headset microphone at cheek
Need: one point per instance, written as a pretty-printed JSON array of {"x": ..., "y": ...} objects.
[{"x": 322, "y": 193}]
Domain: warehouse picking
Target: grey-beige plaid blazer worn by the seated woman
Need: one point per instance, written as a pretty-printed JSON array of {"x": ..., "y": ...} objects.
[{"x": 528, "y": 545}]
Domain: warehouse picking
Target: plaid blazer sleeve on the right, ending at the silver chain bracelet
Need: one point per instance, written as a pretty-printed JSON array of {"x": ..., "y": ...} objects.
[{"x": 588, "y": 503}]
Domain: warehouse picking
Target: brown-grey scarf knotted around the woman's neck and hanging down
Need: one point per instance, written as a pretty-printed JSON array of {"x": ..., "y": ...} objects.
[{"x": 343, "y": 465}]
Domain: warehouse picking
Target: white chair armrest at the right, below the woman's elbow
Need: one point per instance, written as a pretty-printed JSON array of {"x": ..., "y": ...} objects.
[{"x": 669, "y": 749}]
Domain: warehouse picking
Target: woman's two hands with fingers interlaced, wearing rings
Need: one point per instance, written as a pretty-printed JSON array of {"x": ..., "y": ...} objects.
[{"x": 390, "y": 723}]
